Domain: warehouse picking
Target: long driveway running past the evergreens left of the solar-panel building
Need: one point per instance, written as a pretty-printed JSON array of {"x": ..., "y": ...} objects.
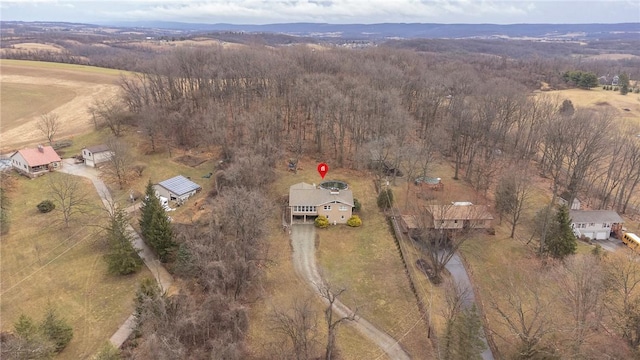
[{"x": 161, "y": 274}]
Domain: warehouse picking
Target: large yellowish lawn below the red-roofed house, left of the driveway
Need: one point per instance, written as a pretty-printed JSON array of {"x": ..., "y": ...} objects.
[{"x": 44, "y": 262}]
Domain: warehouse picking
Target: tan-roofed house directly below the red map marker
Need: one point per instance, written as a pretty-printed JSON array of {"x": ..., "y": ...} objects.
[{"x": 307, "y": 201}]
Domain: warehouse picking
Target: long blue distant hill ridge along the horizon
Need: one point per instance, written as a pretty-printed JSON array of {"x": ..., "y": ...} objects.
[{"x": 413, "y": 30}]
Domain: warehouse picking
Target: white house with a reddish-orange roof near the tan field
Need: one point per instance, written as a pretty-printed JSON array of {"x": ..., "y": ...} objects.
[{"x": 37, "y": 161}]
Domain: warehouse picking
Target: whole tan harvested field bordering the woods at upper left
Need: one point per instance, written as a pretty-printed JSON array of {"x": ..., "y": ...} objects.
[{"x": 31, "y": 88}]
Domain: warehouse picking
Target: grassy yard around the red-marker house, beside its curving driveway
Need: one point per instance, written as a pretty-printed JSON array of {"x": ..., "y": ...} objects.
[{"x": 365, "y": 260}]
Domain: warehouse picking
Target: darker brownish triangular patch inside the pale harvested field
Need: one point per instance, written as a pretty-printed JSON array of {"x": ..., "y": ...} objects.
[{"x": 20, "y": 101}]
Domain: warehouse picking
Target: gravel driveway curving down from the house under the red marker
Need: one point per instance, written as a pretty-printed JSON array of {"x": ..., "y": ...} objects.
[{"x": 304, "y": 262}]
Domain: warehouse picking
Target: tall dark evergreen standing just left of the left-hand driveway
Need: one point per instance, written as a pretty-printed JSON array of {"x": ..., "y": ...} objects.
[{"x": 122, "y": 258}]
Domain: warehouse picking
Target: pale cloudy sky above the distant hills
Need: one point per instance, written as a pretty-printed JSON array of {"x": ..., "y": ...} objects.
[{"x": 325, "y": 11}]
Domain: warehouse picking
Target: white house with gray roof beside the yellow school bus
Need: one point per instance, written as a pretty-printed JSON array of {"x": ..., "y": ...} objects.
[{"x": 595, "y": 224}]
